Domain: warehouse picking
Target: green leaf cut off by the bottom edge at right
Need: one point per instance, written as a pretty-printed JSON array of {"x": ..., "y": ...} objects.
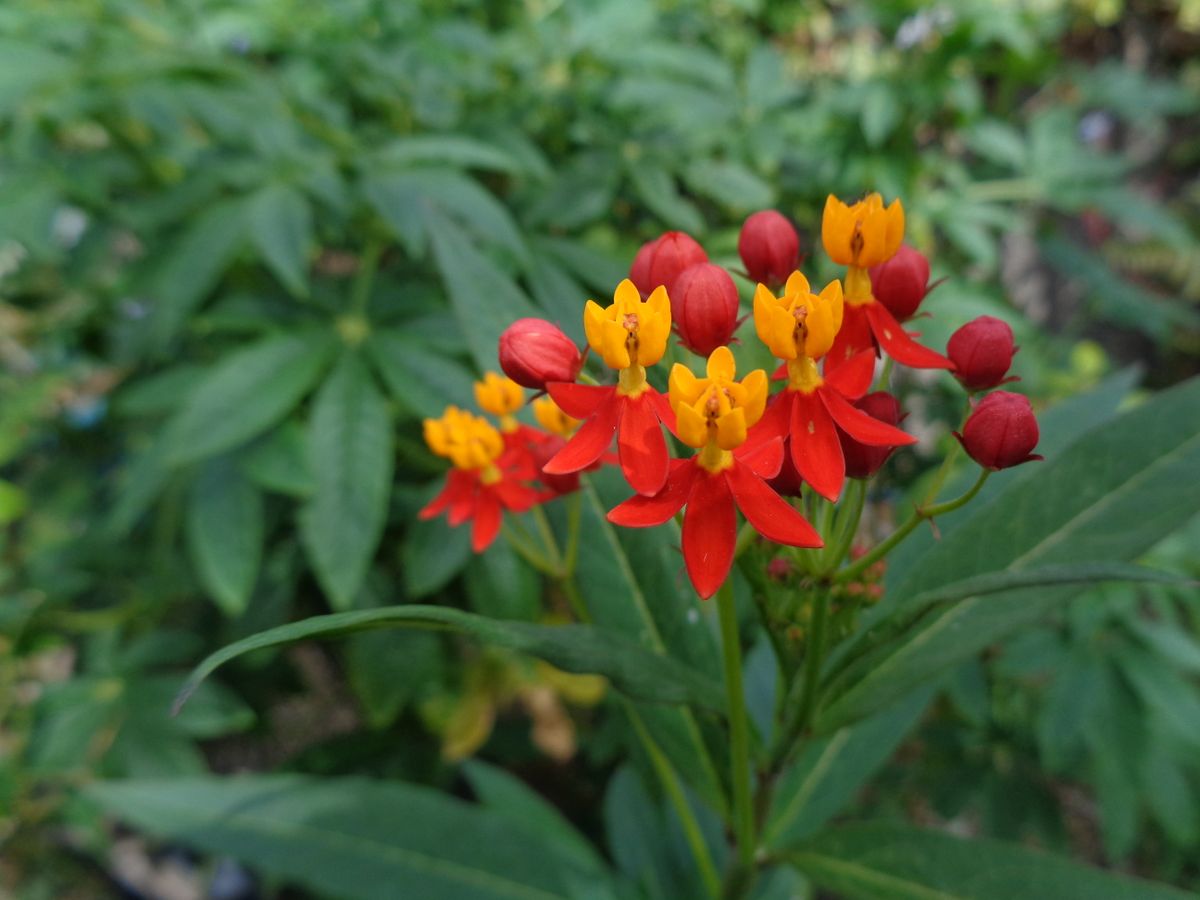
[{"x": 868, "y": 862}]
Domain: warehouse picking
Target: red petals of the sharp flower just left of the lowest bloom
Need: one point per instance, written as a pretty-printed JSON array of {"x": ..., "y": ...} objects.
[{"x": 605, "y": 411}]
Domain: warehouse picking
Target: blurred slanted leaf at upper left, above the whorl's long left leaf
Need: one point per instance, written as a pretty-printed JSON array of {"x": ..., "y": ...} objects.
[{"x": 194, "y": 266}]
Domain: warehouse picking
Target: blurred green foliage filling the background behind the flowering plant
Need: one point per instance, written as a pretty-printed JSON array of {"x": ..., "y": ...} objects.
[{"x": 247, "y": 247}]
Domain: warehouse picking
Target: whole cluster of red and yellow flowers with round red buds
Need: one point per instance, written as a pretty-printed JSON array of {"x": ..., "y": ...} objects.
[{"x": 753, "y": 449}]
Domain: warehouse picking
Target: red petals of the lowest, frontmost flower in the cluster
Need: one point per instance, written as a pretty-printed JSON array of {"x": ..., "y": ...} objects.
[{"x": 710, "y": 524}]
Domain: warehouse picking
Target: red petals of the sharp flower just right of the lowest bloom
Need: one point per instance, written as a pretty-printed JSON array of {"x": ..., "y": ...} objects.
[{"x": 812, "y": 411}]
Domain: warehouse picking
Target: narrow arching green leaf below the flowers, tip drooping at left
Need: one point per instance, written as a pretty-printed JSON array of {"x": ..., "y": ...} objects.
[{"x": 584, "y": 650}]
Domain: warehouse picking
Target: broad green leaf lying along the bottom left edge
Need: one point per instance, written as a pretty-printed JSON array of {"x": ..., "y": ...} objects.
[{"x": 353, "y": 838}]
